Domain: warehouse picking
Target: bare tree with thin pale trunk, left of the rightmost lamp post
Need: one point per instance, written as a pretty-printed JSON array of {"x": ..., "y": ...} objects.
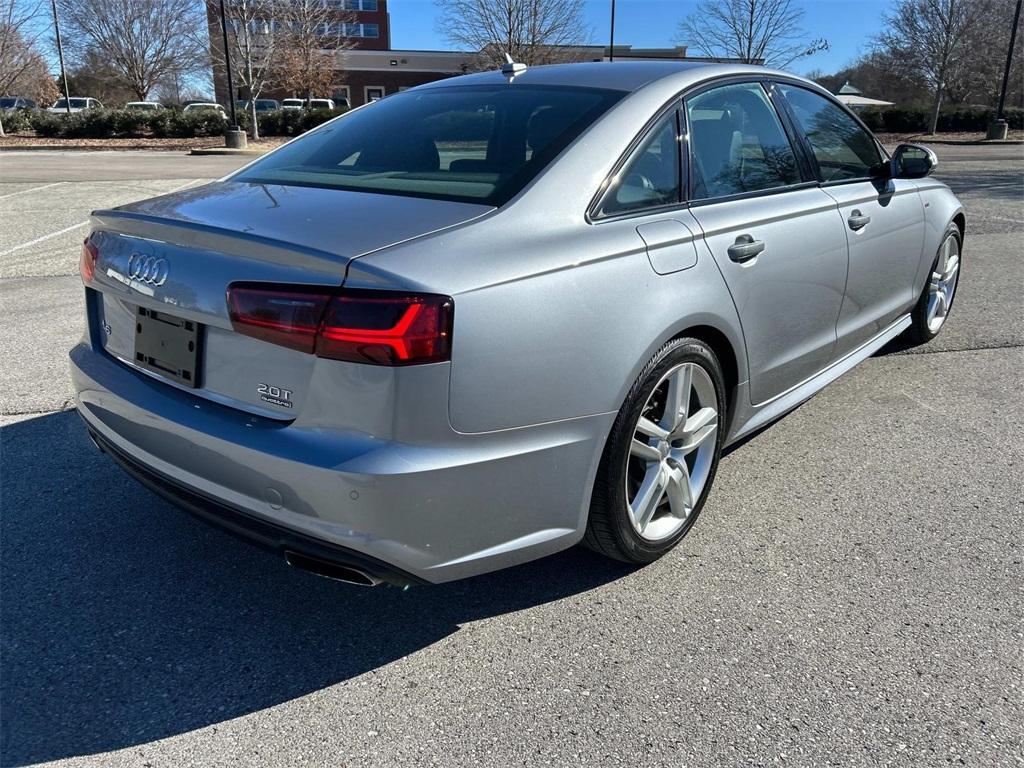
[{"x": 928, "y": 38}]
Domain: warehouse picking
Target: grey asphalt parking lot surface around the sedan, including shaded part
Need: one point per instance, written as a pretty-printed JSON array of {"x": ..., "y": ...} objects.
[{"x": 854, "y": 594}]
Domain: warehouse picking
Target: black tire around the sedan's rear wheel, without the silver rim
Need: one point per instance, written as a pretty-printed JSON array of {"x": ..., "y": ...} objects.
[{"x": 632, "y": 546}]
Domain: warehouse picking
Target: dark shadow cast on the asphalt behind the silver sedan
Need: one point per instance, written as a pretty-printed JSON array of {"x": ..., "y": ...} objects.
[{"x": 125, "y": 621}]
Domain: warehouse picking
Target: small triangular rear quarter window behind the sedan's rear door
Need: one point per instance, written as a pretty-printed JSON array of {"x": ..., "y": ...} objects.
[{"x": 651, "y": 177}]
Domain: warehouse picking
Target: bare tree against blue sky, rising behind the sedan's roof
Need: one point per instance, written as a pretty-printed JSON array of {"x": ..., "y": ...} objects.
[{"x": 754, "y": 31}]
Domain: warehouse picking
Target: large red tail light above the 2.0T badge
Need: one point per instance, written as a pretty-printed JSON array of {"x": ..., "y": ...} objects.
[{"x": 374, "y": 327}]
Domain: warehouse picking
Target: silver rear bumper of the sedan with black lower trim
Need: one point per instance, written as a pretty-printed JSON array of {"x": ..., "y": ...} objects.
[{"x": 446, "y": 508}]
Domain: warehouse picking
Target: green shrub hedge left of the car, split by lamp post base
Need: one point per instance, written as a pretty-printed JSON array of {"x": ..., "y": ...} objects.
[{"x": 161, "y": 124}]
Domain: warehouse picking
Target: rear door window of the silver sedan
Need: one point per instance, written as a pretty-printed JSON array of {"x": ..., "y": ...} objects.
[{"x": 738, "y": 144}]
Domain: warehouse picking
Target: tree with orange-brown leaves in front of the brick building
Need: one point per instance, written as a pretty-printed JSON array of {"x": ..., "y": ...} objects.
[{"x": 314, "y": 37}]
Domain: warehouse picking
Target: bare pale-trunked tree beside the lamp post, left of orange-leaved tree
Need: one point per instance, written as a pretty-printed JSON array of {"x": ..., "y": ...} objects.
[{"x": 257, "y": 30}]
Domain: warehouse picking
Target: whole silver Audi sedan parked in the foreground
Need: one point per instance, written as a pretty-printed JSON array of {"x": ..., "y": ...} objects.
[{"x": 497, "y": 316}]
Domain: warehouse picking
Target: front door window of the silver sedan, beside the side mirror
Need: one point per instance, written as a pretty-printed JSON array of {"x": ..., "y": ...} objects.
[{"x": 843, "y": 149}]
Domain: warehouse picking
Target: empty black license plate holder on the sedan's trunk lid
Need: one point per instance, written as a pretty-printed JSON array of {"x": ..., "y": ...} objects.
[{"x": 168, "y": 346}]
